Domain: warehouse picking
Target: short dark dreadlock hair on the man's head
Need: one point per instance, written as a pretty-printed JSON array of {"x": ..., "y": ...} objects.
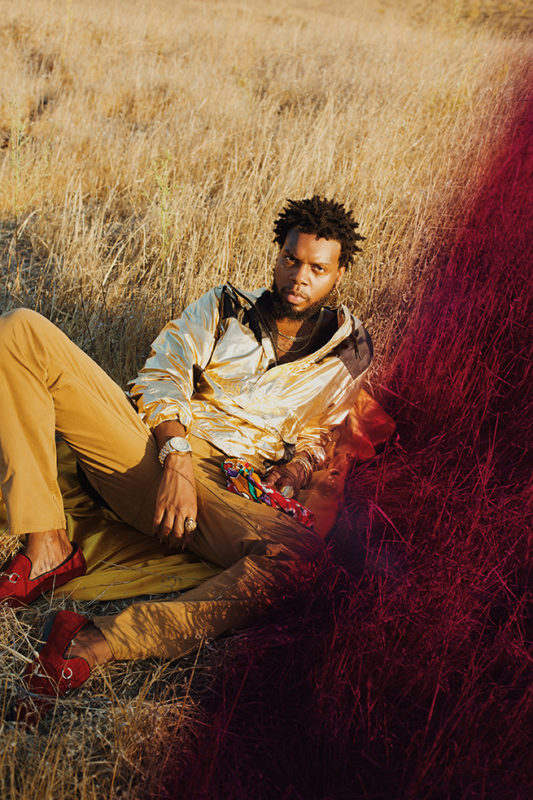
[{"x": 327, "y": 219}]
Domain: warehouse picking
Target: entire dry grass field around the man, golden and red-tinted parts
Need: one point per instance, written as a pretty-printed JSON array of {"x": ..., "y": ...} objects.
[{"x": 146, "y": 148}]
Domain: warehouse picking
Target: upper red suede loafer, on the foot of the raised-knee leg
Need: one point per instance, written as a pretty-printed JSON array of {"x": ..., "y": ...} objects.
[{"x": 17, "y": 589}]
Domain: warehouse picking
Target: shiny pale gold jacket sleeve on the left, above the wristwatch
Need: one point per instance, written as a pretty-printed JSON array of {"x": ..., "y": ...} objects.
[{"x": 165, "y": 385}]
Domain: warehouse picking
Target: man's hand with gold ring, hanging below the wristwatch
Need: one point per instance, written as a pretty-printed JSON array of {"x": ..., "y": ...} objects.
[{"x": 176, "y": 500}]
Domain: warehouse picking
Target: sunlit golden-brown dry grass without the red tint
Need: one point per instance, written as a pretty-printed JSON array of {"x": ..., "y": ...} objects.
[{"x": 146, "y": 148}]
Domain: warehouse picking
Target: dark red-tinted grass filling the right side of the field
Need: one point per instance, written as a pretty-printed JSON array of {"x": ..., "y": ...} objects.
[{"x": 407, "y": 673}]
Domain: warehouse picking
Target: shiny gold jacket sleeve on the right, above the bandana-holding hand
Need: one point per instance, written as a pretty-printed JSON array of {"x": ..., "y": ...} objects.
[{"x": 314, "y": 436}]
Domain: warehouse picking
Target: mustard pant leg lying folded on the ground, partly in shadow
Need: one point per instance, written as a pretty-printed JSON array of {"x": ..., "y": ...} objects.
[{"x": 267, "y": 556}]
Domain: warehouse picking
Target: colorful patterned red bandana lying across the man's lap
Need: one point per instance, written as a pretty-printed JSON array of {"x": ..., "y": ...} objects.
[{"x": 243, "y": 480}]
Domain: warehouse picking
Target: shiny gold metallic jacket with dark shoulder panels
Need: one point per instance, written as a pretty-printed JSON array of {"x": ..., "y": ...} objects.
[{"x": 215, "y": 369}]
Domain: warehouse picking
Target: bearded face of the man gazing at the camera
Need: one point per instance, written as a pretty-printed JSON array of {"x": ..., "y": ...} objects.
[{"x": 307, "y": 270}]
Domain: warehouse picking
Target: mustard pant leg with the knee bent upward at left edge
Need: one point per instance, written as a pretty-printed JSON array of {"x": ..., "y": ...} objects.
[{"x": 48, "y": 384}]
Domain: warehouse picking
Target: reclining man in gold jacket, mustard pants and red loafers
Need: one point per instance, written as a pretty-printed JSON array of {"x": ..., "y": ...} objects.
[{"x": 258, "y": 376}]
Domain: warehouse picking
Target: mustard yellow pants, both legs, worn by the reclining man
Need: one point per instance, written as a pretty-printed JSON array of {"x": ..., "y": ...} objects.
[{"x": 49, "y": 385}]
